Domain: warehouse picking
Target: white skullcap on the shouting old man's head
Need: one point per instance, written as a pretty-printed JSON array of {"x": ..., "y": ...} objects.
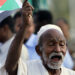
[{"x": 45, "y": 28}]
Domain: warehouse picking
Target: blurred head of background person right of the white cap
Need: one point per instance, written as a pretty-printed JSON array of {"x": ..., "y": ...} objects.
[{"x": 64, "y": 25}]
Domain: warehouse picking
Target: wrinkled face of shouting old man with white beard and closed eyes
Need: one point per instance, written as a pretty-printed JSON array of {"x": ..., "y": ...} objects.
[{"x": 53, "y": 48}]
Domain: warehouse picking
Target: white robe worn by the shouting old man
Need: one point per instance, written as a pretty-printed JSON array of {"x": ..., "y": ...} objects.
[{"x": 34, "y": 68}]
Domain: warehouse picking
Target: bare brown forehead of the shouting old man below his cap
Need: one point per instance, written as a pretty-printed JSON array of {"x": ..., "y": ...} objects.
[{"x": 53, "y": 34}]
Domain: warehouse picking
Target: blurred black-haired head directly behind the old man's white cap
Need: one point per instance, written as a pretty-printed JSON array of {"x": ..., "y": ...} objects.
[{"x": 41, "y": 18}]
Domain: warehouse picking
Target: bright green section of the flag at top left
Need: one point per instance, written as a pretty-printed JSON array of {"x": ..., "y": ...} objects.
[{"x": 9, "y": 5}]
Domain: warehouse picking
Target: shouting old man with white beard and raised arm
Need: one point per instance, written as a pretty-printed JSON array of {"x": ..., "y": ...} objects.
[{"x": 51, "y": 47}]
